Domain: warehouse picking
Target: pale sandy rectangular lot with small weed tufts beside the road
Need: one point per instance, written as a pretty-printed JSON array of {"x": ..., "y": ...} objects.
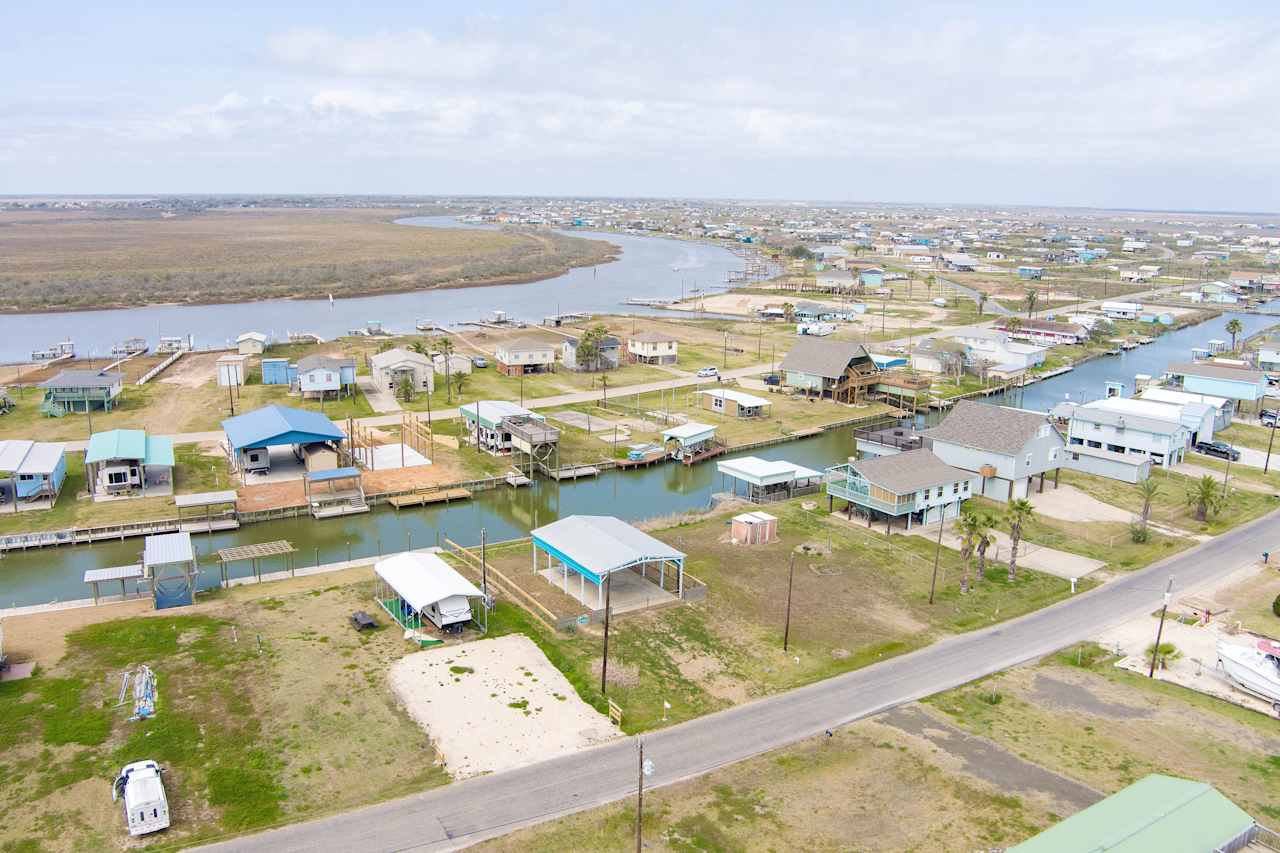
[{"x": 496, "y": 705}]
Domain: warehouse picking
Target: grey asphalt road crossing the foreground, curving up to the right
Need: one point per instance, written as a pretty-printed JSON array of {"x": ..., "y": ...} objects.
[{"x": 470, "y": 811}]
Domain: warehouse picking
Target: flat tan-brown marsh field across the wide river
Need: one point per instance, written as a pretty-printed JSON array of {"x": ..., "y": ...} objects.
[{"x": 81, "y": 261}]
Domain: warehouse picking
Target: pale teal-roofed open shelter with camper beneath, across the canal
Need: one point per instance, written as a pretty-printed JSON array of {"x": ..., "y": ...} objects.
[{"x": 129, "y": 463}]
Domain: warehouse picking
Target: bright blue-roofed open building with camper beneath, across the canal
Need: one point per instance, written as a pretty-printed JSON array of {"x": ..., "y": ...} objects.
[{"x": 250, "y": 437}]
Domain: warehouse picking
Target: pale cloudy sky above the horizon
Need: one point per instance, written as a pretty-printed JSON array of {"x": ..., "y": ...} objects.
[{"x": 1162, "y": 106}]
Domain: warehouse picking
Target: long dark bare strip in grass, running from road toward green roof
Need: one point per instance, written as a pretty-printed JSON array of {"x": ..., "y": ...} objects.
[{"x": 989, "y": 761}]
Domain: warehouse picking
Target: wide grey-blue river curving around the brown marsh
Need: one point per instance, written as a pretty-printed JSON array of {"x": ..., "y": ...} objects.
[{"x": 648, "y": 267}]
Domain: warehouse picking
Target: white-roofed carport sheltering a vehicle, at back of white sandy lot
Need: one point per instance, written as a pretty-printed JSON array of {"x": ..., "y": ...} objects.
[{"x": 415, "y": 587}]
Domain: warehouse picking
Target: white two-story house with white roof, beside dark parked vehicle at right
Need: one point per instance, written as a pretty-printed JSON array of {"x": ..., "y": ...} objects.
[{"x": 1139, "y": 428}]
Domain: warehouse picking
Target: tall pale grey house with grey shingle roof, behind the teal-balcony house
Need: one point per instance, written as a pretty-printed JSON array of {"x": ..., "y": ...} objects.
[{"x": 1007, "y": 449}]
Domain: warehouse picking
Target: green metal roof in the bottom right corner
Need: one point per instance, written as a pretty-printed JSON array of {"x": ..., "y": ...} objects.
[{"x": 1154, "y": 814}]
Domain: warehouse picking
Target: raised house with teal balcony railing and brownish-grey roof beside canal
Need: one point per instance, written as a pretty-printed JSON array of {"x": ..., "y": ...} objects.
[{"x": 908, "y": 489}]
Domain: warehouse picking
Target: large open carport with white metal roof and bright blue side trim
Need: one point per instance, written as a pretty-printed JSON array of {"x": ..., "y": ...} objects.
[{"x": 597, "y": 546}]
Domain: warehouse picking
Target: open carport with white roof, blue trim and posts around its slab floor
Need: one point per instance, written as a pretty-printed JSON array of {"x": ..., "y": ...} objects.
[{"x": 596, "y": 548}]
